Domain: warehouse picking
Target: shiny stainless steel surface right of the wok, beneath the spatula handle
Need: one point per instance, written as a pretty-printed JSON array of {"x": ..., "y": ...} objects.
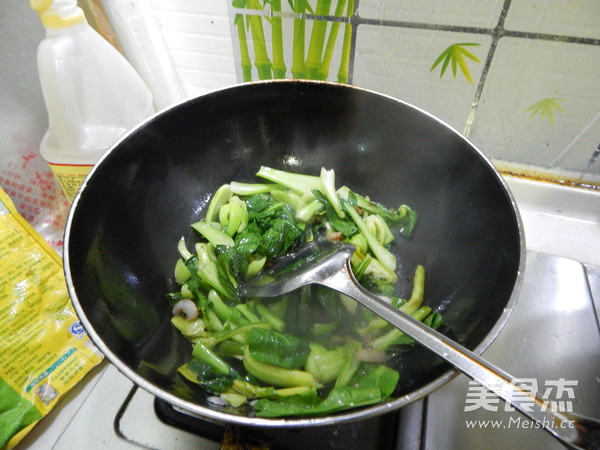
[{"x": 552, "y": 335}]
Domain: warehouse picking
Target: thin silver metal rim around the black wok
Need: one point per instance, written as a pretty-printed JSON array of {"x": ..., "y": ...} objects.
[{"x": 329, "y": 419}]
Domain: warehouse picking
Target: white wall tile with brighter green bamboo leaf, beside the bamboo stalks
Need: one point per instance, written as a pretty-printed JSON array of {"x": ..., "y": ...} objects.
[{"x": 397, "y": 61}]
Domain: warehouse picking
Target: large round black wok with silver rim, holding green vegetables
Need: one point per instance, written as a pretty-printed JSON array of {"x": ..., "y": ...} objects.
[{"x": 139, "y": 200}]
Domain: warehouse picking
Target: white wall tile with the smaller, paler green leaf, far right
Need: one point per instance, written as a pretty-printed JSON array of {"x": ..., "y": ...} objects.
[{"x": 526, "y": 71}]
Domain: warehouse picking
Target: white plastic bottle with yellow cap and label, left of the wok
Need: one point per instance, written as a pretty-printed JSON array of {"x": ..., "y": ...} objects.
[{"x": 92, "y": 94}]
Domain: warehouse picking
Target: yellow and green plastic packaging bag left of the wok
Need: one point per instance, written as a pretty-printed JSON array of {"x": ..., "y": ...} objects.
[{"x": 44, "y": 350}]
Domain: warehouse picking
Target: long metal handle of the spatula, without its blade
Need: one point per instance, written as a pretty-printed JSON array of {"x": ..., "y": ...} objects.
[{"x": 572, "y": 430}]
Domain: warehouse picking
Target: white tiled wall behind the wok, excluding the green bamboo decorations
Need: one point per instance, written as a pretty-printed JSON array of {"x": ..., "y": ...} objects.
[{"x": 538, "y": 49}]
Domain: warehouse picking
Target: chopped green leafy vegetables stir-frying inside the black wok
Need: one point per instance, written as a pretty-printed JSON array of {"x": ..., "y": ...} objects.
[{"x": 313, "y": 351}]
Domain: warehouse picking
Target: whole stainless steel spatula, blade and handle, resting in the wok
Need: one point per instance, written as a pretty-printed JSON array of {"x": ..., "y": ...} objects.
[{"x": 328, "y": 264}]
